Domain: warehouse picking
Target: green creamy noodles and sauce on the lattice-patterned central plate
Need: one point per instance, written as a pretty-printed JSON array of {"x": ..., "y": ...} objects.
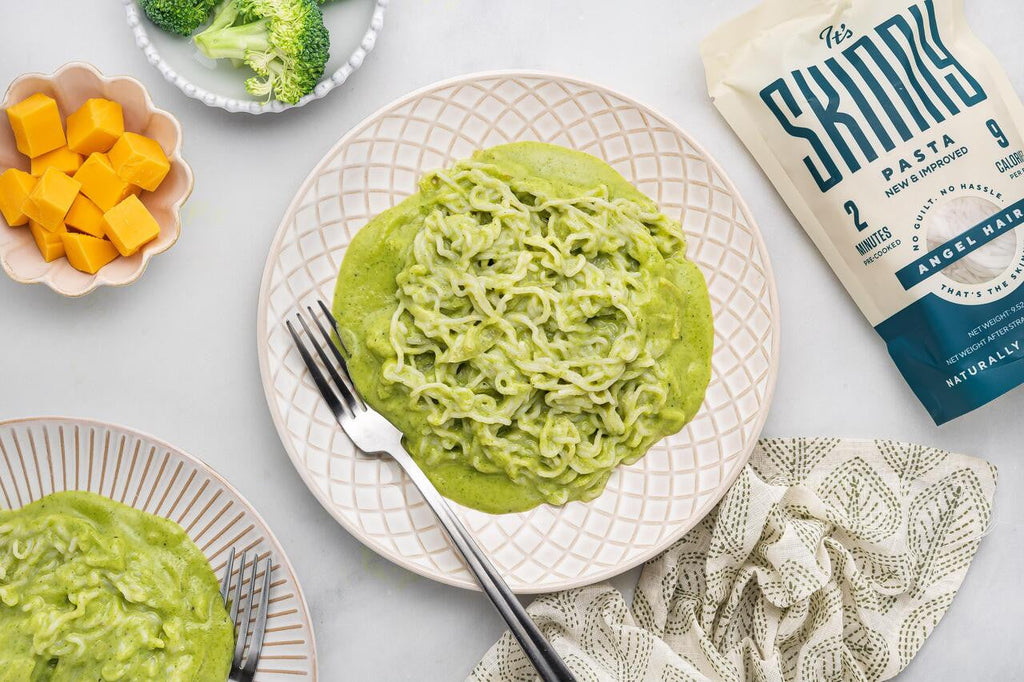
[{"x": 653, "y": 314}]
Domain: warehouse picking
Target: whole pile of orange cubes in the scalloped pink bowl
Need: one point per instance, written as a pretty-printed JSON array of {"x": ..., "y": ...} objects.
[{"x": 81, "y": 198}]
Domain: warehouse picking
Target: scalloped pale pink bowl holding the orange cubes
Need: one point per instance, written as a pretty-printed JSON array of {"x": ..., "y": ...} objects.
[{"x": 71, "y": 86}]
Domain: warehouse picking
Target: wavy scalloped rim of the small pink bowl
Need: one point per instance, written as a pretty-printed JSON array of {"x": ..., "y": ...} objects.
[{"x": 176, "y": 157}]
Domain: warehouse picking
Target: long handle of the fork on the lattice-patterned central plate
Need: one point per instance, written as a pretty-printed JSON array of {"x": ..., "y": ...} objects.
[{"x": 547, "y": 662}]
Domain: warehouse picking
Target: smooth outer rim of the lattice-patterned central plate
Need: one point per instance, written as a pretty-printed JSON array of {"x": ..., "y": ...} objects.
[{"x": 281, "y": 428}]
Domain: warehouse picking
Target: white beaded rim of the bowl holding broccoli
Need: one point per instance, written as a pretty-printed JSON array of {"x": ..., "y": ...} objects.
[{"x": 328, "y": 83}]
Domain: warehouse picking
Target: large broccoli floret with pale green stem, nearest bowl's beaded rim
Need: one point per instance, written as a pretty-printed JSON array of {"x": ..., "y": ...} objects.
[{"x": 285, "y": 42}]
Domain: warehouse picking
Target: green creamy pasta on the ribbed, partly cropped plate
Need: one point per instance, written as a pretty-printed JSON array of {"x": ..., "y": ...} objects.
[{"x": 92, "y": 589}]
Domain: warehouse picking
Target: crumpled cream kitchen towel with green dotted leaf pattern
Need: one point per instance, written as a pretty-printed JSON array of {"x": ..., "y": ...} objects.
[{"x": 828, "y": 560}]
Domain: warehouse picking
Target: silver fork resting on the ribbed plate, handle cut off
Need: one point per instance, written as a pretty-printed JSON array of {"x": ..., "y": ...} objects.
[{"x": 245, "y": 671}]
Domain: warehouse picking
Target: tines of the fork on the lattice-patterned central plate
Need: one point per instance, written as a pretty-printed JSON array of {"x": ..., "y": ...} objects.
[{"x": 343, "y": 396}]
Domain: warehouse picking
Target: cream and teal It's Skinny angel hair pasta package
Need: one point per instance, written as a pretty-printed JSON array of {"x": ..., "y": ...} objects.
[{"x": 895, "y": 138}]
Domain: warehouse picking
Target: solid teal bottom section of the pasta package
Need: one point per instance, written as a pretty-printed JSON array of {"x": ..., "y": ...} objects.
[{"x": 958, "y": 358}]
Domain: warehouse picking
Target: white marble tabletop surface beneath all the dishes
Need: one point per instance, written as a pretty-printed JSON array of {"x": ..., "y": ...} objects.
[{"x": 175, "y": 355}]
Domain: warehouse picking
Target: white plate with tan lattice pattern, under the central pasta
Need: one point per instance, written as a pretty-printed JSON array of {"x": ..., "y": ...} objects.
[{"x": 647, "y": 506}]
